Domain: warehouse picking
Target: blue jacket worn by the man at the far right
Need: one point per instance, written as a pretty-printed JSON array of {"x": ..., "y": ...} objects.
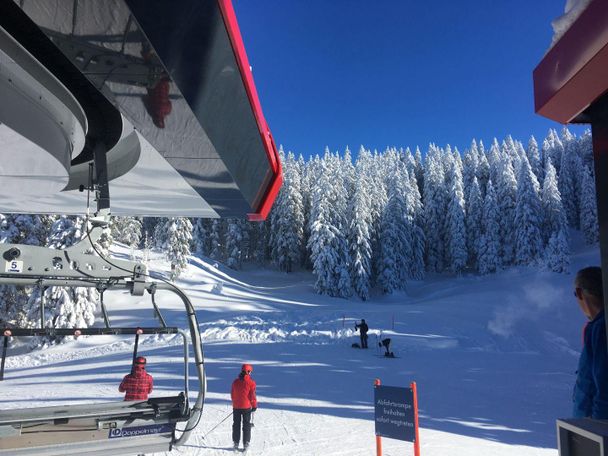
[{"x": 591, "y": 389}]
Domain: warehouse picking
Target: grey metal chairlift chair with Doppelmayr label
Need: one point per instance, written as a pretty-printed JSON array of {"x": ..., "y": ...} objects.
[{"x": 109, "y": 428}]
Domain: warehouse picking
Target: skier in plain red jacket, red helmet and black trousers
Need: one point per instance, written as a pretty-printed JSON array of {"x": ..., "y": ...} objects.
[{"x": 244, "y": 403}]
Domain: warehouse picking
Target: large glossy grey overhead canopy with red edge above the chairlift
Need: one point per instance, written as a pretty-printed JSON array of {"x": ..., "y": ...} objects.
[{"x": 155, "y": 98}]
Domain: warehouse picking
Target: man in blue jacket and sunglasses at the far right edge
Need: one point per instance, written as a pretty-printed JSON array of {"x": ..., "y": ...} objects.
[{"x": 591, "y": 389}]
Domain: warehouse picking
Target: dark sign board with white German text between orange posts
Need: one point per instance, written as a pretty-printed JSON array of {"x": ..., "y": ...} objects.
[{"x": 394, "y": 413}]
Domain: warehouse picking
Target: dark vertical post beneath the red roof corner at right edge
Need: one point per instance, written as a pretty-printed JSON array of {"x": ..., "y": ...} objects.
[{"x": 599, "y": 129}]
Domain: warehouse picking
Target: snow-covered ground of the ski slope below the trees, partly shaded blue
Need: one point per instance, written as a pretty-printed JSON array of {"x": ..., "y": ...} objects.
[{"x": 493, "y": 357}]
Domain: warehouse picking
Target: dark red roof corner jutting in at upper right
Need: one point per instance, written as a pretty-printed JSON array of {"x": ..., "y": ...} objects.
[{"x": 574, "y": 73}]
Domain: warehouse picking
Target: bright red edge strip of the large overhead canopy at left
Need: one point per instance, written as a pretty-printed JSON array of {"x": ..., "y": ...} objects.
[{"x": 234, "y": 33}]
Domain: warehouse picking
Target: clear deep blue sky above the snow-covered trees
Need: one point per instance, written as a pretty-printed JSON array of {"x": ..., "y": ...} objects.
[{"x": 397, "y": 72}]
